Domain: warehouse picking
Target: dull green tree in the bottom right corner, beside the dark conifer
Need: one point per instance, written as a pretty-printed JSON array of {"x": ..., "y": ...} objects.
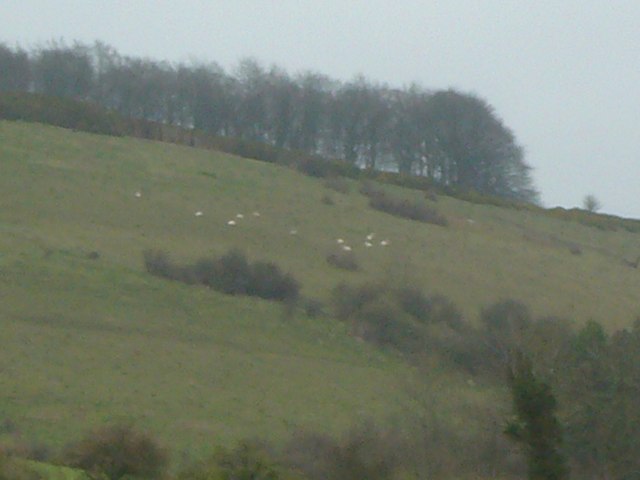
[{"x": 601, "y": 385}]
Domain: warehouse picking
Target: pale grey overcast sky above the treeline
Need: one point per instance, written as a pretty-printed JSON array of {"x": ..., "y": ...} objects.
[{"x": 564, "y": 75}]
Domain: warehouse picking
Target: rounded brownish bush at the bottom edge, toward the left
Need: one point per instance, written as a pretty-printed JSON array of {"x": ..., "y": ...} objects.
[{"x": 118, "y": 452}]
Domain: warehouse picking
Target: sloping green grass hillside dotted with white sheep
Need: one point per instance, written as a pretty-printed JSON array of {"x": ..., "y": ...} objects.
[{"x": 89, "y": 340}]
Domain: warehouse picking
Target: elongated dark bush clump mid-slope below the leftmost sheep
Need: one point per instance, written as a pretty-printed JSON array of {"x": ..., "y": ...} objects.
[{"x": 231, "y": 273}]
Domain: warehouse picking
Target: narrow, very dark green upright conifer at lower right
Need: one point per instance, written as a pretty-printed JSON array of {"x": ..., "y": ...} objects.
[{"x": 535, "y": 425}]
